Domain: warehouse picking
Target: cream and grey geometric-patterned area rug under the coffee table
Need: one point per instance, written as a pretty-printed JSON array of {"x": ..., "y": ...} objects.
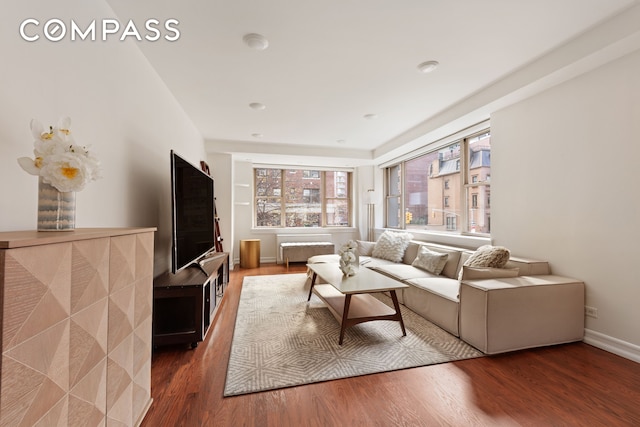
[{"x": 281, "y": 340}]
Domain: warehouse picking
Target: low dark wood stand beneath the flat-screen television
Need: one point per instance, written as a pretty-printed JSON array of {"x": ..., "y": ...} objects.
[{"x": 184, "y": 304}]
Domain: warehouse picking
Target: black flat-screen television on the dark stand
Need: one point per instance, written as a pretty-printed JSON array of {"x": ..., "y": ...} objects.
[{"x": 192, "y": 213}]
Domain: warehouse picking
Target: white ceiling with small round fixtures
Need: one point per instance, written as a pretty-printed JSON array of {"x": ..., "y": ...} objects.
[{"x": 331, "y": 62}]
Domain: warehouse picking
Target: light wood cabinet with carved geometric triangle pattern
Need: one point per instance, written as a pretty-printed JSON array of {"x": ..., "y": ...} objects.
[{"x": 76, "y": 327}]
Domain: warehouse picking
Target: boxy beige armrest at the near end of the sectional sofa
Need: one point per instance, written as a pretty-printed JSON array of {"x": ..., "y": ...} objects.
[{"x": 499, "y": 315}]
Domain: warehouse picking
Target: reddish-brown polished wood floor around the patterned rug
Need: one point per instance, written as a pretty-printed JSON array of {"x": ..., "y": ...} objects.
[{"x": 568, "y": 385}]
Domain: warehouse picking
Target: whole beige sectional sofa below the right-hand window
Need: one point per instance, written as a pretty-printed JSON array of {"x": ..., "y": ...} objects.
[{"x": 520, "y": 305}]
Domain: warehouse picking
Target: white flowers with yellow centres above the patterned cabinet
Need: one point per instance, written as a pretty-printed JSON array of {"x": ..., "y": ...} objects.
[{"x": 58, "y": 160}]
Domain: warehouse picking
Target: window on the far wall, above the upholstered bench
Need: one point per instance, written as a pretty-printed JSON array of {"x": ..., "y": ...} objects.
[{"x": 312, "y": 198}]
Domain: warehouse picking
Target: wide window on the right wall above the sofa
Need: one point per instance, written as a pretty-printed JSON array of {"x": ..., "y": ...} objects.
[{"x": 447, "y": 189}]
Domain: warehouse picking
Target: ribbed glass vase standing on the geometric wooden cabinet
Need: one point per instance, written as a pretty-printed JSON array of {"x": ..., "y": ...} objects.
[{"x": 56, "y": 210}]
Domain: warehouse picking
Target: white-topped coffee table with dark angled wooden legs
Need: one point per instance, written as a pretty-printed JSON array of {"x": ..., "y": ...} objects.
[{"x": 348, "y": 298}]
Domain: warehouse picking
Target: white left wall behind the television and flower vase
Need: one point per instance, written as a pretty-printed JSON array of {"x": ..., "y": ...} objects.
[{"x": 118, "y": 106}]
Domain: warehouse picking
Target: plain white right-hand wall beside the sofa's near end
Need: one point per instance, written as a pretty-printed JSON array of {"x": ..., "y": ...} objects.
[{"x": 565, "y": 189}]
